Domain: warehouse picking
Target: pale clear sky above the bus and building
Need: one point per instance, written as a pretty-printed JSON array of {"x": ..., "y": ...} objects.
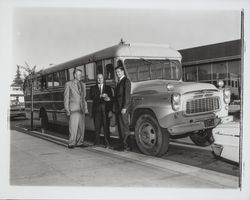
[{"x": 44, "y": 36}]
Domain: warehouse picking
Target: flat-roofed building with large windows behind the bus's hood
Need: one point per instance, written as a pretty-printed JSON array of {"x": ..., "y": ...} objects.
[{"x": 210, "y": 63}]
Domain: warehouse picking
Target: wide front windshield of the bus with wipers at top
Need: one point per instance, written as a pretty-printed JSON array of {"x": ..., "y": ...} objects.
[{"x": 152, "y": 69}]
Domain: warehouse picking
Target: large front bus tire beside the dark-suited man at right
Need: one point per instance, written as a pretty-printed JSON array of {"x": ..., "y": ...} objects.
[{"x": 151, "y": 139}]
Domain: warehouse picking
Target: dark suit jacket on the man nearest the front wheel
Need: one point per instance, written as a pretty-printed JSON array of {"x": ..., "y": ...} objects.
[{"x": 122, "y": 95}]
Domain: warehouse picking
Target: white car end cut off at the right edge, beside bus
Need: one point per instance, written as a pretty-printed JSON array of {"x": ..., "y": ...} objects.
[{"x": 226, "y": 140}]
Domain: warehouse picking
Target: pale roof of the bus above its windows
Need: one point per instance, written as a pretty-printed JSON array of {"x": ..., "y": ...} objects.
[{"x": 120, "y": 50}]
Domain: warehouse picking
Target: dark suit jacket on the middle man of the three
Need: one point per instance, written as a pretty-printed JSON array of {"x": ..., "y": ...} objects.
[{"x": 98, "y": 101}]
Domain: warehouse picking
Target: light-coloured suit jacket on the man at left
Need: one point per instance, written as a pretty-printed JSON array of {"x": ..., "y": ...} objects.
[{"x": 74, "y": 100}]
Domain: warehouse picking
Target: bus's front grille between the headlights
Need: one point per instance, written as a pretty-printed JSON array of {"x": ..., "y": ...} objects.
[{"x": 203, "y": 105}]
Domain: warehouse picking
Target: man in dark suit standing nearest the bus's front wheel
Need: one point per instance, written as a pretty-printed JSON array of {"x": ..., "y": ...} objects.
[{"x": 122, "y": 104}]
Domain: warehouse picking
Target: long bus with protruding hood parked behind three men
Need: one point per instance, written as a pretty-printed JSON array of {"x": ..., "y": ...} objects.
[{"x": 162, "y": 105}]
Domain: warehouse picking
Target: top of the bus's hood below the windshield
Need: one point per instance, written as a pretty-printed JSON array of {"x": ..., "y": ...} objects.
[{"x": 153, "y": 86}]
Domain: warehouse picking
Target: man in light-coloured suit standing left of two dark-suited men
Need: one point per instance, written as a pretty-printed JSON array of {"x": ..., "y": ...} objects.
[{"x": 75, "y": 106}]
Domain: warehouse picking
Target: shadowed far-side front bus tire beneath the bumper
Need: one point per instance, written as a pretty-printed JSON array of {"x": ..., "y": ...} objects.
[{"x": 202, "y": 138}]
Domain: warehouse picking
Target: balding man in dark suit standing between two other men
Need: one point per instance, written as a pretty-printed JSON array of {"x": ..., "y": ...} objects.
[{"x": 102, "y": 96}]
